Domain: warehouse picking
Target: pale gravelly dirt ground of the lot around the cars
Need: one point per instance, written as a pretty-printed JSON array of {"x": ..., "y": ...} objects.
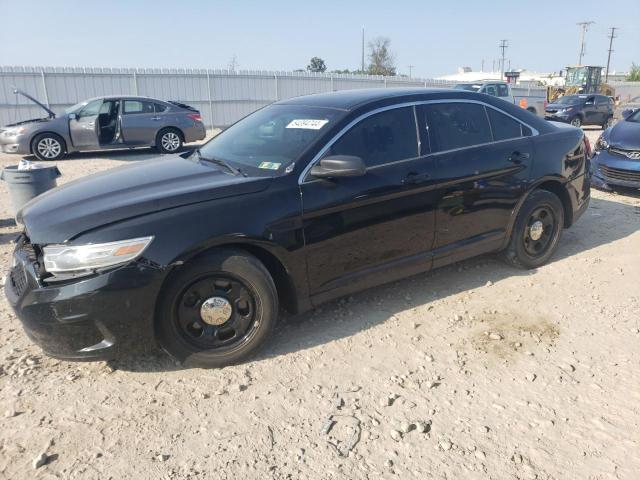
[{"x": 472, "y": 371}]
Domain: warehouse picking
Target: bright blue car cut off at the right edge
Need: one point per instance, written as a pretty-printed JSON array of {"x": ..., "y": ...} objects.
[{"x": 617, "y": 155}]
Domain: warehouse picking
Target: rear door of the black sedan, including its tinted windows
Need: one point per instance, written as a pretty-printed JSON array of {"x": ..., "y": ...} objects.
[{"x": 482, "y": 162}]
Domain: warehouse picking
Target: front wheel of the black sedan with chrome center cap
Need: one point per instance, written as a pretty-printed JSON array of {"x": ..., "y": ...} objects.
[{"x": 217, "y": 310}]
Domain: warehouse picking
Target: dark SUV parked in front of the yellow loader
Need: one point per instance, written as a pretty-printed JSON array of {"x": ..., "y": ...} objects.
[{"x": 581, "y": 110}]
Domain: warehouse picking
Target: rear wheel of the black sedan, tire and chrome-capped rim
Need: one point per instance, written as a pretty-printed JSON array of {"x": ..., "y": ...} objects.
[{"x": 524, "y": 250}]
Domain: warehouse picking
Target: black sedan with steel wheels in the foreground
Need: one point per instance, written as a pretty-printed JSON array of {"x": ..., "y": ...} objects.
[{"x": 303, "y": 201}]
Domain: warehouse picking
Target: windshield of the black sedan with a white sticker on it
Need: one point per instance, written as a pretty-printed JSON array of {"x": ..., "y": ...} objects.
[{"x": 272, "y": 138}]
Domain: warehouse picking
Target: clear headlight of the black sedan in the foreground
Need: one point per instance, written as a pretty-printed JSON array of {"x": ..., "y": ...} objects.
[{"x": 83, "y": 259}]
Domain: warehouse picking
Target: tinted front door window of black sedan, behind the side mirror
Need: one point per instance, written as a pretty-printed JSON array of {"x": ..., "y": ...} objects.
[{"x": 381, "y": 138}]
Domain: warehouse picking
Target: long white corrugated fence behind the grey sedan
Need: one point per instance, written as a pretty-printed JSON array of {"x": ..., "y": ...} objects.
[{"x": 221, "y": 96}]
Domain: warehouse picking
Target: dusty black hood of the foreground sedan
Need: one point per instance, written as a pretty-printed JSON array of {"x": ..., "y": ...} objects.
[{"x": 125, "y": 192}]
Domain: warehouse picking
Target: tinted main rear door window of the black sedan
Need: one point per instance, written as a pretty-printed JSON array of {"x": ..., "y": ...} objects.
[{"x": 456, "y": 125}]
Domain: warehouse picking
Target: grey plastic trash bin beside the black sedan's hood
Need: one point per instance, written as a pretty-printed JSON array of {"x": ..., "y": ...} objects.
[{"x": 27, "y": 184}]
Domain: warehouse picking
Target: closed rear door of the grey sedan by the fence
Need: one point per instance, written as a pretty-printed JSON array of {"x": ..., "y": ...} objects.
[{"x": 140, "y": 123}]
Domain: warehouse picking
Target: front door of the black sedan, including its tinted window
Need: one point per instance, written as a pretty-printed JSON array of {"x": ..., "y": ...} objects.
[{"x": 366, "y": 230}]
